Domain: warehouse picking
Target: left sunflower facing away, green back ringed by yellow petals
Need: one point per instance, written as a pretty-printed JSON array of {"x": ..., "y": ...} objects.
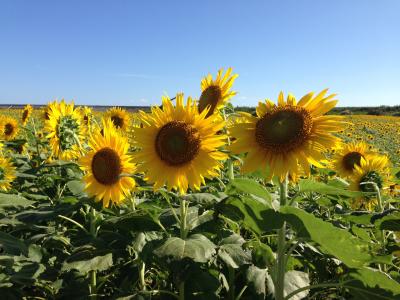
[{"x": 65, "y": 130}]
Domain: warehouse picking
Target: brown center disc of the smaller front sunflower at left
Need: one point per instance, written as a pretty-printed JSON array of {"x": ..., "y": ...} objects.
[{"x": 106, "y": 166}]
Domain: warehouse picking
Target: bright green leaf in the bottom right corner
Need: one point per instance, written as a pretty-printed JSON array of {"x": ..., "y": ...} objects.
[{"x": 373, "y": 284}]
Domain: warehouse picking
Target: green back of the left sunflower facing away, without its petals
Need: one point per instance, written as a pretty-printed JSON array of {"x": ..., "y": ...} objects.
[{"x": 68, "y": 132}]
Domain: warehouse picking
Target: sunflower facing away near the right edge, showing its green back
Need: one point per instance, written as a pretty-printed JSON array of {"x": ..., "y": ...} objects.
[{"x": 374, "y": 169}]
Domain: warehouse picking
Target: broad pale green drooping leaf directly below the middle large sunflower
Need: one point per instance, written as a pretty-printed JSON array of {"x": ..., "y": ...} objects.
[{"x": 197, "y": 247}]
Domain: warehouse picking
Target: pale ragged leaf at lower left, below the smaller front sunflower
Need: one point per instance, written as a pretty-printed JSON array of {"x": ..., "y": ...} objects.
[{"x": 97, "y": 263}]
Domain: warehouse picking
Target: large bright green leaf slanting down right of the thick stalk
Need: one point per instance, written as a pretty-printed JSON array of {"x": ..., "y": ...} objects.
[{"x": 334, "y": 241}]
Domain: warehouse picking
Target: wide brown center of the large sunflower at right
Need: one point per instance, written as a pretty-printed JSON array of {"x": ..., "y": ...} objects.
[{"x": 284, "y": 129}]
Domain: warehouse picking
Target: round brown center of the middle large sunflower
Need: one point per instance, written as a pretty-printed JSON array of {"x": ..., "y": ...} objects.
[{"x": 177, "y": 143}]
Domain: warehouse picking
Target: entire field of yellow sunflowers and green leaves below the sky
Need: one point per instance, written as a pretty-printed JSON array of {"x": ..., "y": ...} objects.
[{"x": 194, "y": 200}]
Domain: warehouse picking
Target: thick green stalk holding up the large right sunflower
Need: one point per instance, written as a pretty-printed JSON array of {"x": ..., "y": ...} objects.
[{"x": 281, "y": 259}]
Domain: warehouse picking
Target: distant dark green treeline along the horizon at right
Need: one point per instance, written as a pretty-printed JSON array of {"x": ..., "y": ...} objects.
[{"x": 382, "y": 110}]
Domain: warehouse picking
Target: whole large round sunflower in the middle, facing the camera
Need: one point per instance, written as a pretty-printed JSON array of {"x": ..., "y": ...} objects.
[{"x": 178, "y": 146}]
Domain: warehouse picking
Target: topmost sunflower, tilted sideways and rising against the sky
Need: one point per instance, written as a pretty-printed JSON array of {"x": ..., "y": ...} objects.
[{"x": 215, "y": 93}]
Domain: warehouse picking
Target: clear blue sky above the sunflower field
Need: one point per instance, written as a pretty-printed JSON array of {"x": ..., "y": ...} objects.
[{"x": 132, "y": 52}]
